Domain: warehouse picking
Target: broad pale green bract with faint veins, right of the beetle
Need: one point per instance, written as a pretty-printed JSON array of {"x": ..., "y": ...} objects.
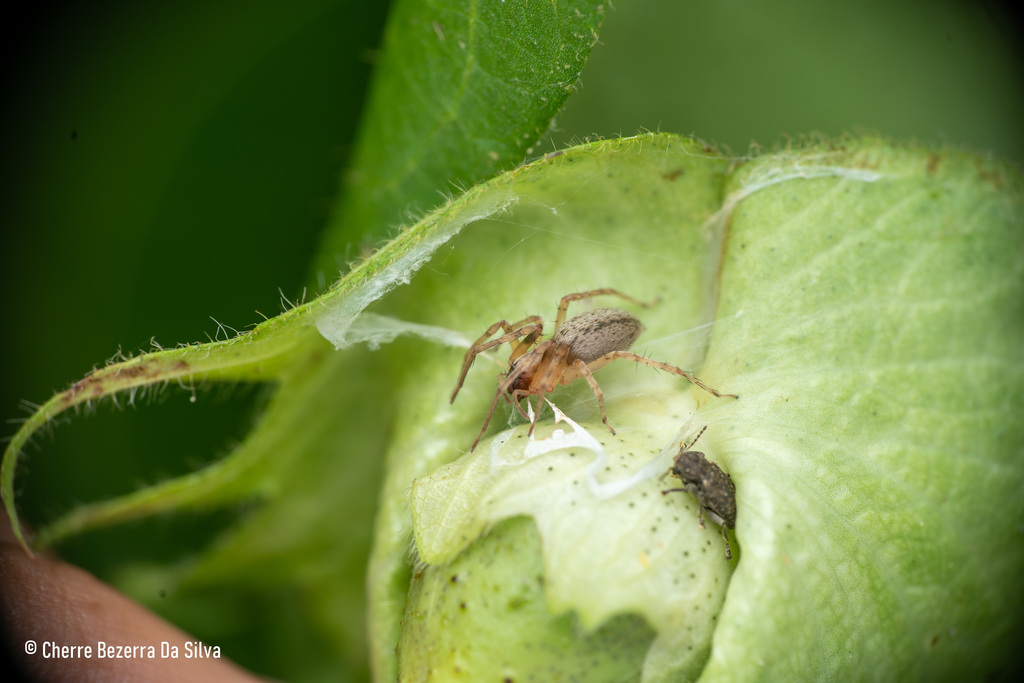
[{"x": 876, "y": 336}]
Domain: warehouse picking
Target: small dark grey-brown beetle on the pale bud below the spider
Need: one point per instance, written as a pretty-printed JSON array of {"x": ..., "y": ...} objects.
[{"x": 714, "y": 490}]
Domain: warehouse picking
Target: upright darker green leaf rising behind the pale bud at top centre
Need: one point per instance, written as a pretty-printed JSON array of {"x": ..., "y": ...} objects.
[{"x": 463, "y": 91}]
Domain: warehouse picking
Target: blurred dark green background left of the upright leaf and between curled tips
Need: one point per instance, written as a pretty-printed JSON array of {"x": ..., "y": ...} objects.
[{"x": 164, "y": 165}]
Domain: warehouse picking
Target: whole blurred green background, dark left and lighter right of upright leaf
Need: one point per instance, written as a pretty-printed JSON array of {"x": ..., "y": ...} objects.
[{"x": 166, "y": 165}]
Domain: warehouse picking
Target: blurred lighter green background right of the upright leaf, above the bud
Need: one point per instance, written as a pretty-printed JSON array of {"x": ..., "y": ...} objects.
[{"x": 737, "y": 72}]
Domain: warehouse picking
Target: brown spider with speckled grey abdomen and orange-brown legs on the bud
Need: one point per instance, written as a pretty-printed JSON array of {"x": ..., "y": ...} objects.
[{"x": 578, "y": 348}]
